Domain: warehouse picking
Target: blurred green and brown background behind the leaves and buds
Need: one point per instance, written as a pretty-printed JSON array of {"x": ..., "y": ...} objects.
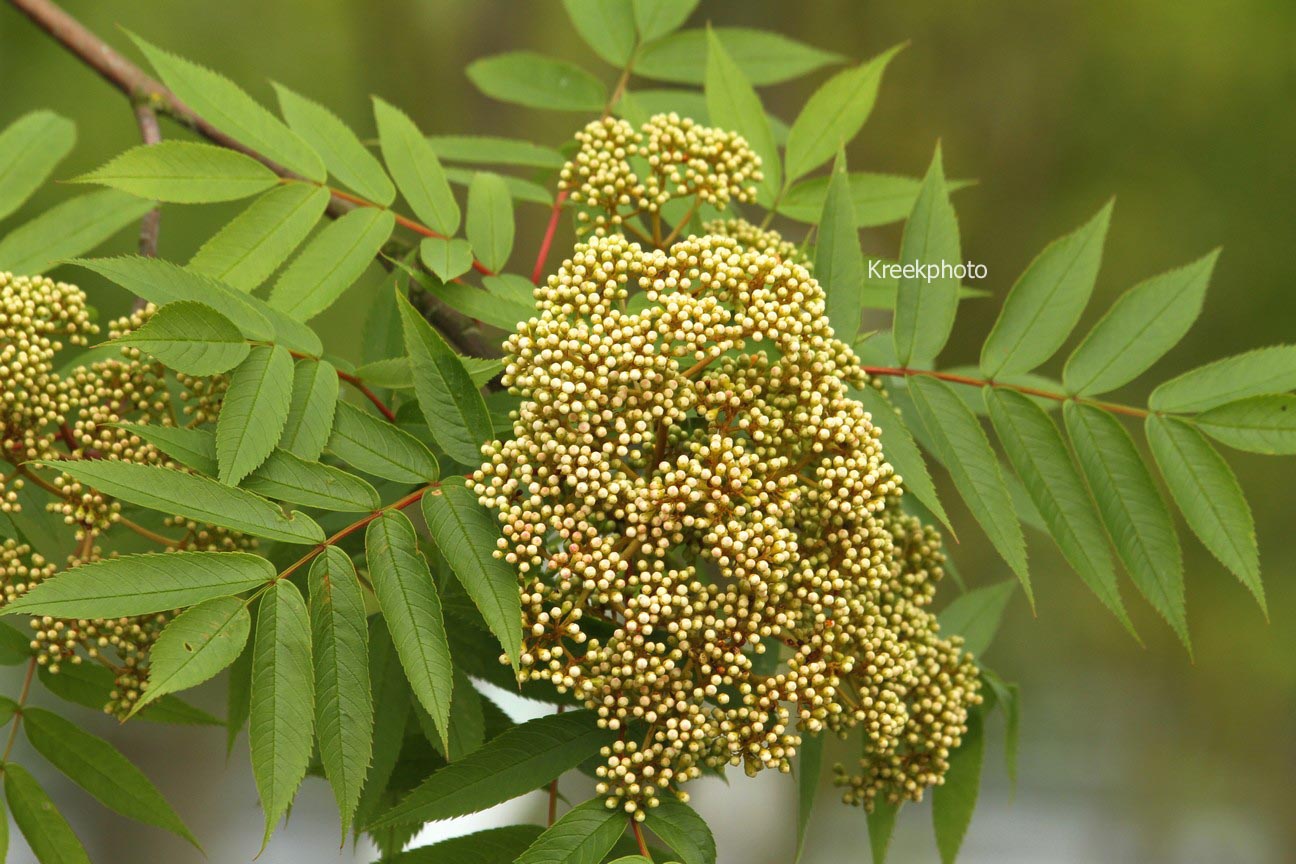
[{"x": 1184, "y": 109}]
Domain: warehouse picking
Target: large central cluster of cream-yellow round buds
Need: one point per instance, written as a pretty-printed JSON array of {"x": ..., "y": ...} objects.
[{"x": 707, "y": 532}]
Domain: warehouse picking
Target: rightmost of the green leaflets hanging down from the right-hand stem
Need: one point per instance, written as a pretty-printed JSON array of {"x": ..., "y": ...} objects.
[{"x": 1209, "y": 495}]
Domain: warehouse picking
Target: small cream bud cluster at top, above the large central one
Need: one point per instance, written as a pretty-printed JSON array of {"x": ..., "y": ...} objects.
[{"x": 621, "y": 173}]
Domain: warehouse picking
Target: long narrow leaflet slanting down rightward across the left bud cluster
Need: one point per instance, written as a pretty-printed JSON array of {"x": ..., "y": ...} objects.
[{"x": 192, "y": 497}]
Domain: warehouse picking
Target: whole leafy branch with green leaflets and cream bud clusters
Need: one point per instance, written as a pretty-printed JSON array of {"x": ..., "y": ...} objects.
[{"x": 655, "y": 475}]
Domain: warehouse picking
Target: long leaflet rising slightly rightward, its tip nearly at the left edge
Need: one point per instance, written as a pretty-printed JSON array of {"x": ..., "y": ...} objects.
[{"x": 142, "y": 585}]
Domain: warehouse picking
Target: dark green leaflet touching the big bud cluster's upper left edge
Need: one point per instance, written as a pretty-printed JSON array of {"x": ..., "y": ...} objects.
[{"x": 454, "y": 407}]
